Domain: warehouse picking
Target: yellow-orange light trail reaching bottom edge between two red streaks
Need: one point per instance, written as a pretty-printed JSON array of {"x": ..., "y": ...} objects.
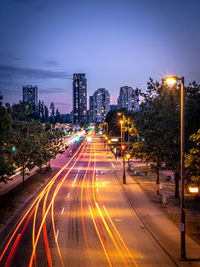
[{"x": 47, "y": 211}]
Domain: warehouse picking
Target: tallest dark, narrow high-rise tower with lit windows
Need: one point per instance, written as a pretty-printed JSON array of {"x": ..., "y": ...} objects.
[{"x": 79, "y": 98}]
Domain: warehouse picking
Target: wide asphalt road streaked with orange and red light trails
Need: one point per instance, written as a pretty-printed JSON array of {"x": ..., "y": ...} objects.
[{"x": 82, "y": 218}]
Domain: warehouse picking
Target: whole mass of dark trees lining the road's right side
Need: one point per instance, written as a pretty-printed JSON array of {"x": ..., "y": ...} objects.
[{"x": 155, "y": 130}]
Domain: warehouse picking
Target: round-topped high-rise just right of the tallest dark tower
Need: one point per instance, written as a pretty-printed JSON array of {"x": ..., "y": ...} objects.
[{"x": 99, "y": 105}]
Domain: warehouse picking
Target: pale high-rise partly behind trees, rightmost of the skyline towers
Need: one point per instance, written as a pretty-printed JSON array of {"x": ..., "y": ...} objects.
[{"x": 128, "y": 99}]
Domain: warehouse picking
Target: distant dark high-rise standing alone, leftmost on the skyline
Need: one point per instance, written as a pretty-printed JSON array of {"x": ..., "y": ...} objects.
[{"x": 30, "y": 94}]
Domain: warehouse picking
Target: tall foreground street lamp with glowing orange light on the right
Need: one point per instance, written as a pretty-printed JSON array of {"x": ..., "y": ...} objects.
[{"x": 172, "y": 81}]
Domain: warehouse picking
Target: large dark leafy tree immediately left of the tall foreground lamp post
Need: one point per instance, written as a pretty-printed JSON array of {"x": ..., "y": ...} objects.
[{"x": 158, "y": 123}]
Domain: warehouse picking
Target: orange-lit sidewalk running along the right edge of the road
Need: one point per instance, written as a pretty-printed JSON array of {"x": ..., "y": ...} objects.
[{"x": 157, "y": 223}]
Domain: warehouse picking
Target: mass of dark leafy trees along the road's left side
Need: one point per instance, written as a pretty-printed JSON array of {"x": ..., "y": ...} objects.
[{"x": 25, "y": 142}]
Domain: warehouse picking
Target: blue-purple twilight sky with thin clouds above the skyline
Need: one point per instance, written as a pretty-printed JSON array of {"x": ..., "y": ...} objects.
[{"x": 115, "y": 42}]
